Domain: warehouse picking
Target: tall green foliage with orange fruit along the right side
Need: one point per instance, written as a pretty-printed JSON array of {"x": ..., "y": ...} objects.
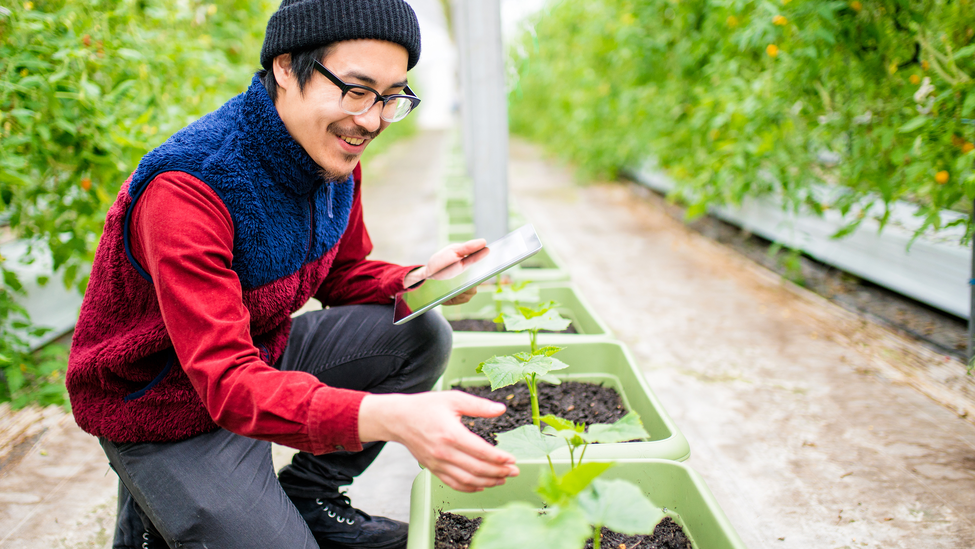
[{"x": 737, "y": 98}]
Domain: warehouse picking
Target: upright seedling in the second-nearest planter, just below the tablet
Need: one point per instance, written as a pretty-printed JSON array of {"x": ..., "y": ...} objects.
[{"x": 532, "y": 366}]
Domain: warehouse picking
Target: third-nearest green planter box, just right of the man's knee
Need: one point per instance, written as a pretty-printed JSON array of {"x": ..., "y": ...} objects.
[{"x": 572, "y": 306}]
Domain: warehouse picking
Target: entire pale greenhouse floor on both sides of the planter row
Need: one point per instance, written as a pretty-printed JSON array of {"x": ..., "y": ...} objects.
[{"x": 799, "y": 414}]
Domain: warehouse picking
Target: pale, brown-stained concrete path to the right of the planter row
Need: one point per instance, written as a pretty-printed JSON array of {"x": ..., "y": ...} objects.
[{"x": 799, "y": 415}]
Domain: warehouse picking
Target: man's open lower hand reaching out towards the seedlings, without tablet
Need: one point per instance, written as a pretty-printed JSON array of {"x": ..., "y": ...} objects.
[{"x": 429, "y": 425}]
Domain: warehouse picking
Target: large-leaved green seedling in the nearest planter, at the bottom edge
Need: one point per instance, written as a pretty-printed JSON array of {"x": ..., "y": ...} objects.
[{"x": 574, "y": 500}]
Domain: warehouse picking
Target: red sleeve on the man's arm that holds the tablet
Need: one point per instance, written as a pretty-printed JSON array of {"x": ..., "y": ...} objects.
[{"x": 354, "y": 279}]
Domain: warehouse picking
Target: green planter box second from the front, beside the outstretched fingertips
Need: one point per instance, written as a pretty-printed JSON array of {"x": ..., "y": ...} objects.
[{"x": 607, "y": 362}]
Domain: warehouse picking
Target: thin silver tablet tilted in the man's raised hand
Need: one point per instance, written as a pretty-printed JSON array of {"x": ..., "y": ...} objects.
[{"x": 463, "y": 275}]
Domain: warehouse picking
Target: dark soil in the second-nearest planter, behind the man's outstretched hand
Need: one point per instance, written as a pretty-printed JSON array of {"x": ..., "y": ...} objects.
[{"x": 573, "y": 400}]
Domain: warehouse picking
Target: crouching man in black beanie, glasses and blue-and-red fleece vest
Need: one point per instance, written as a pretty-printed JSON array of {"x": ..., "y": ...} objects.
[{"x": 186, "y": 362}]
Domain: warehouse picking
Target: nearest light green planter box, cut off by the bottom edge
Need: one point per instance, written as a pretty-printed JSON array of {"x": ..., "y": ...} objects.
[{"x": 667, "y": 484}]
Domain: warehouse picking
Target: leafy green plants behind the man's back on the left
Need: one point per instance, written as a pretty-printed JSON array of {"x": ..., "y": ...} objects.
[{"x": 86, "y": 88}]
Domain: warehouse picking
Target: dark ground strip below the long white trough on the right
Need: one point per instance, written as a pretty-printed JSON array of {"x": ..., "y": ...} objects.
[{"x": 940, "y": 331}]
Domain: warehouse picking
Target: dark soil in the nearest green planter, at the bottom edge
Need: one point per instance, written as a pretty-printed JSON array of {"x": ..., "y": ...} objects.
[{"x": 455, "y": 532}]
